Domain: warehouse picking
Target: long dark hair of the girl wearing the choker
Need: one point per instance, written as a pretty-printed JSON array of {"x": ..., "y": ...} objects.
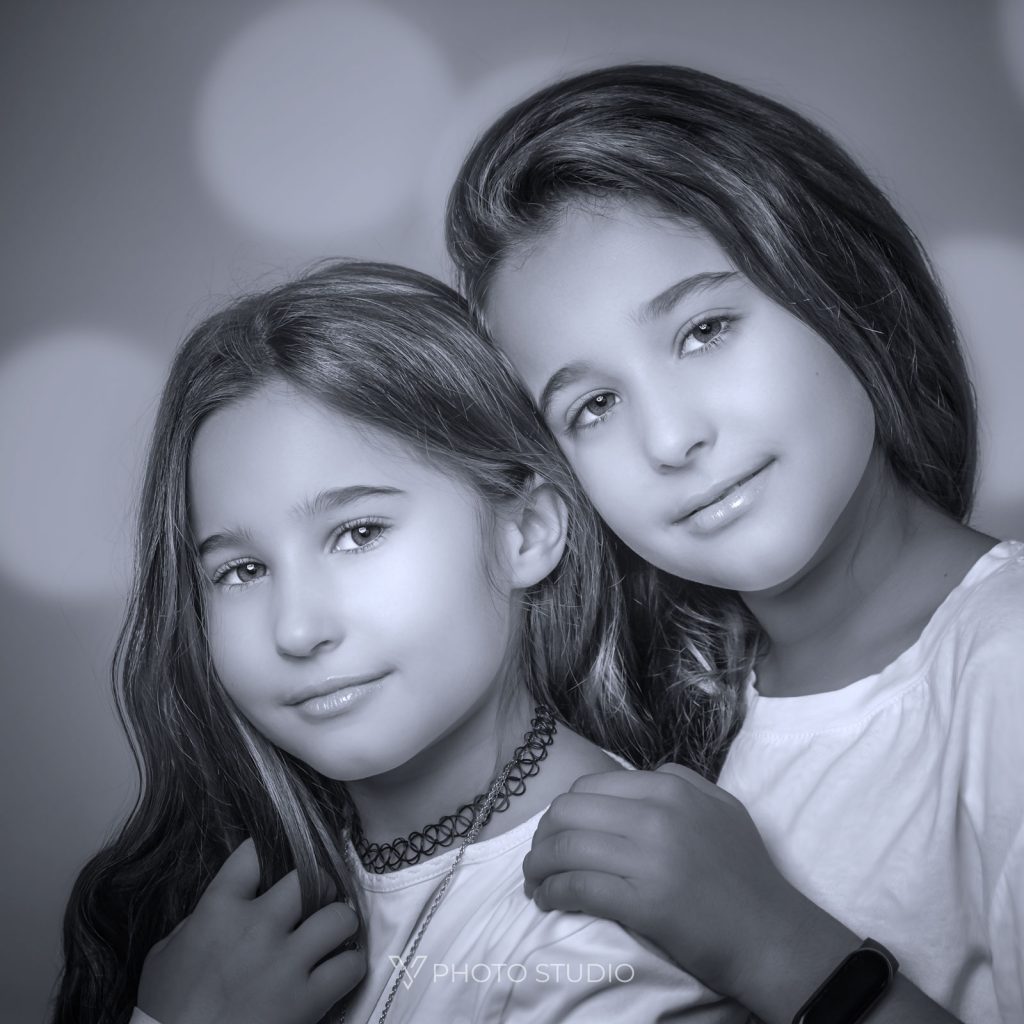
[{"x": 397, "y": 351}]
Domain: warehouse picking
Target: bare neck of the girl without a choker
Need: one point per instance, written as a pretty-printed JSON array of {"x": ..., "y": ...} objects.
[{"x": 888, "y": 564}]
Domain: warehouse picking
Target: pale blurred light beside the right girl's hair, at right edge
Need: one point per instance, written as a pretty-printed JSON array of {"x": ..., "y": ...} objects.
[{"x": 985, "y": 279}]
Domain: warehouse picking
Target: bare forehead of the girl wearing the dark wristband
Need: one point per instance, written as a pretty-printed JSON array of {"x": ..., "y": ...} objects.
[{"x": 593, "y": 271}]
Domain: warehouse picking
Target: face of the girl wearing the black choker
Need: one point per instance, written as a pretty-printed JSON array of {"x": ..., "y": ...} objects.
[{"x": 352, "y": 616}]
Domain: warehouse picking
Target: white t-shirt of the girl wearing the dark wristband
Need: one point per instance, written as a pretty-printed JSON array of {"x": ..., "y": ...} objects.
[{"x": 898, "y": 802}]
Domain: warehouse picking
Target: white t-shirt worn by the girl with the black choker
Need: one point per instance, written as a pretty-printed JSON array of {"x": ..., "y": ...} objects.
[{"x": 492, "y": 956}]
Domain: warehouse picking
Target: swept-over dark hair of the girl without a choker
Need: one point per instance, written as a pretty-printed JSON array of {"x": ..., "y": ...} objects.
[{"x": 807, "y": 227}]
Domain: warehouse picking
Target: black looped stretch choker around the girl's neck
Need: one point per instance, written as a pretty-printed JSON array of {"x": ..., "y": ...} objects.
[{"x": 381, "y": 858}]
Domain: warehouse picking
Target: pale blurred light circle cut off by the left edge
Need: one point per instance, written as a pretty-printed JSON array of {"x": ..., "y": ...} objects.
[{"x": 75, "y": 413}]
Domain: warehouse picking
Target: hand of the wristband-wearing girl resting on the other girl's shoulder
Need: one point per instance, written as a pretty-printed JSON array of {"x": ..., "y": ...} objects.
[{"x": 667, "y": 855}]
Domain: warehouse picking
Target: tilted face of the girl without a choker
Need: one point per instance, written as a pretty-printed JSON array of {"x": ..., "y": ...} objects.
[{"x": 718, "y": 436}]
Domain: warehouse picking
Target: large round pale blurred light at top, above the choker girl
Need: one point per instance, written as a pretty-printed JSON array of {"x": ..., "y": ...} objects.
[{"x": 316, "y": 120}]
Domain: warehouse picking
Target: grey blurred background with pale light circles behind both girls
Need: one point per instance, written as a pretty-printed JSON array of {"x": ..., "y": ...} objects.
[{"x": 160, "y": 157}]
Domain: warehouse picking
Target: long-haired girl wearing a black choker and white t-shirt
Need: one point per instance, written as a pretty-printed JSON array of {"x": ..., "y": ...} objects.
[{"x": 374, "y": 633}]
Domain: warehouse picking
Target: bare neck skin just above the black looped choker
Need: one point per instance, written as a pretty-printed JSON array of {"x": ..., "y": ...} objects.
[{"x": 451, "y": 773}]
